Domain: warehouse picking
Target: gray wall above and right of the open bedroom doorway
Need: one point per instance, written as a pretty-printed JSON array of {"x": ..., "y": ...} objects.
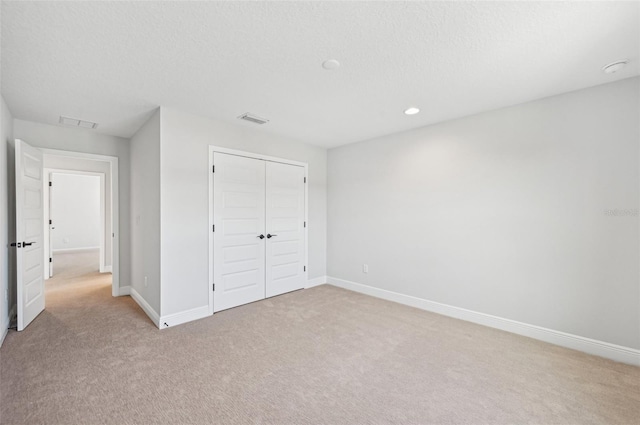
[{"x": 88, "y": 141}]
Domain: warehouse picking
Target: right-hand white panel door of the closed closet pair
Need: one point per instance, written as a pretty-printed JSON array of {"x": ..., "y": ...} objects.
[{"x": 285, "y": 228}]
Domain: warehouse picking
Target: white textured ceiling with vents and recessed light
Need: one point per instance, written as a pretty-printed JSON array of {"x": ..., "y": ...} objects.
[{"x": 114, "y": 62}]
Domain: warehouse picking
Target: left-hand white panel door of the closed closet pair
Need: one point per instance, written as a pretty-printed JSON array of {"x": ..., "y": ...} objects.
[{"x": 239, "y": 219}]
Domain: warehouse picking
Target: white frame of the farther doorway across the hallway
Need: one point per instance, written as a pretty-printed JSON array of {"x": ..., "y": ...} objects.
[{"x": 103, "y": 212}]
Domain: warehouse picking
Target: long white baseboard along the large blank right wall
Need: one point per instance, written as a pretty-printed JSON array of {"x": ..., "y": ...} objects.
[{"x": 591, "y": 346}]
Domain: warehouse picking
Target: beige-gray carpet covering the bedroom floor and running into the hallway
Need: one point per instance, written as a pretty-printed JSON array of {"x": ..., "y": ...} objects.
[{"x": 317, "y": 356}]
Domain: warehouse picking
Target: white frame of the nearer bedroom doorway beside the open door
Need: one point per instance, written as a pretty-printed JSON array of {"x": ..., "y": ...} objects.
[{"x": 115, "y": 208}]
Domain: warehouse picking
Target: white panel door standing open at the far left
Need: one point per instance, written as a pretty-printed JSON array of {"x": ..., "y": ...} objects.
[{"x": 29, "y": 233}]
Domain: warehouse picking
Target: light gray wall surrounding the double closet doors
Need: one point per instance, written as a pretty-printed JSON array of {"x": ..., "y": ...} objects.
[{"x": 185, "y": 200}]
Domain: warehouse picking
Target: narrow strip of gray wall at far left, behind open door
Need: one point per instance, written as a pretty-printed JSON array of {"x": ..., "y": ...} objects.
[{"x": 7, "y": 292}]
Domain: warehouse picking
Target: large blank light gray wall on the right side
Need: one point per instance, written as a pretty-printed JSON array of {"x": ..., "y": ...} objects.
[{"x": 528, "y": 213}]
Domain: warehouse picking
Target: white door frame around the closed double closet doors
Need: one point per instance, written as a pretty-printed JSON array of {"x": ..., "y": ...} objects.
[{"x": 219, "y": 149}]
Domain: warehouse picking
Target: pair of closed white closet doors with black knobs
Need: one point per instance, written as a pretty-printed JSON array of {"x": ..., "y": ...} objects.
[{"x": 258, "y": 246}]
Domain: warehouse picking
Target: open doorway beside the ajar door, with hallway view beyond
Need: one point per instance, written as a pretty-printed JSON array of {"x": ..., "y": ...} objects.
[{"x": 81, "y": 212}]
